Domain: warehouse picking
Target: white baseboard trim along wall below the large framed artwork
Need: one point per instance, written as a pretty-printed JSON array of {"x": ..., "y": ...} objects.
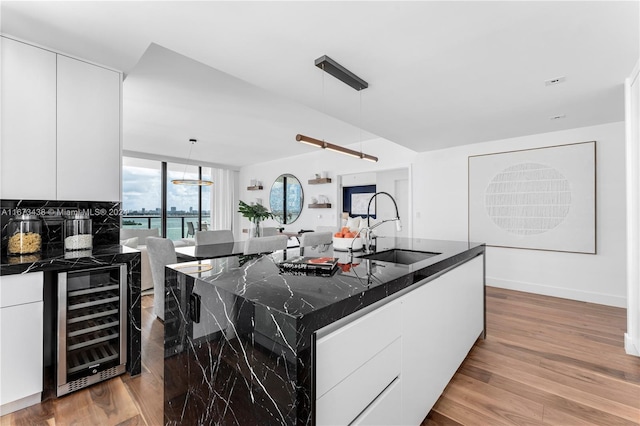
[{"x": 565, "y": 293}]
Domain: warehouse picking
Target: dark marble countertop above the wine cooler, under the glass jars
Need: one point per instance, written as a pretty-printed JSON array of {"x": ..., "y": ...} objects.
[{"x": 56, "y": 259}]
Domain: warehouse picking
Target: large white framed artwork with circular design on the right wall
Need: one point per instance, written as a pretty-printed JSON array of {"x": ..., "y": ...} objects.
[{"x": 540, "y": 198}]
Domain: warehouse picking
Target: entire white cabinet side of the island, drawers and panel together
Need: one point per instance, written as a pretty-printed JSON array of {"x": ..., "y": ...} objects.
[{"x": 389, "y": 365}]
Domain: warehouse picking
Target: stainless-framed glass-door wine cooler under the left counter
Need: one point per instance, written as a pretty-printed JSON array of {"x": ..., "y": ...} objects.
[{"x": 91, "y": 326}]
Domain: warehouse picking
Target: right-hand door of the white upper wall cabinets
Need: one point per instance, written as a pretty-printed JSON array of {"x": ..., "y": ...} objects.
[{"x": 88, "y": 132}]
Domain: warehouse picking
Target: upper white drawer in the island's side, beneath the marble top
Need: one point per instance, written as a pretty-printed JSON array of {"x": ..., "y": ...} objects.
[{"x": 341, "y": 352}]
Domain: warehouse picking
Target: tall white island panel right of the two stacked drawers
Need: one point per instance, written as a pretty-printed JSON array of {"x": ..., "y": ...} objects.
[{"x": 440, "y": 323}]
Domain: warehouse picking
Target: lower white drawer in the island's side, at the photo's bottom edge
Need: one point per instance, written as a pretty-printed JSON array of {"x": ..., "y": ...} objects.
[{"x": 344, "y": 402}]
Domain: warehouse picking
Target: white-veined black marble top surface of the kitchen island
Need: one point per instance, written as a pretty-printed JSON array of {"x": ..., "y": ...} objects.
[{"x": 354, "y": 285}]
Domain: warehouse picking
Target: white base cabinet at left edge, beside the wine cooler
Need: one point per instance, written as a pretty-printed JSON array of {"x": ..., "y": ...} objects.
[{"x": 21, "y": 341}]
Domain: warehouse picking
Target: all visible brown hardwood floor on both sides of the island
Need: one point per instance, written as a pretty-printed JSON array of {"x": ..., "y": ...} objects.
[{"x": 545, "y": 361}]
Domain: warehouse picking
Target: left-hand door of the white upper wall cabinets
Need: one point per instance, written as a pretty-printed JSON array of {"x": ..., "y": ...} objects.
[{"x": 28, "y": 148}]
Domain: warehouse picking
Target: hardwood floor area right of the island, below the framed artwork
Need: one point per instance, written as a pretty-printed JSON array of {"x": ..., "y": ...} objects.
[{"x": 545, "y": 361}]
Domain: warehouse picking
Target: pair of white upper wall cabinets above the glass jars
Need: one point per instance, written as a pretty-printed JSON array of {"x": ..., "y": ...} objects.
[{"x": 60, "y": 127}]
